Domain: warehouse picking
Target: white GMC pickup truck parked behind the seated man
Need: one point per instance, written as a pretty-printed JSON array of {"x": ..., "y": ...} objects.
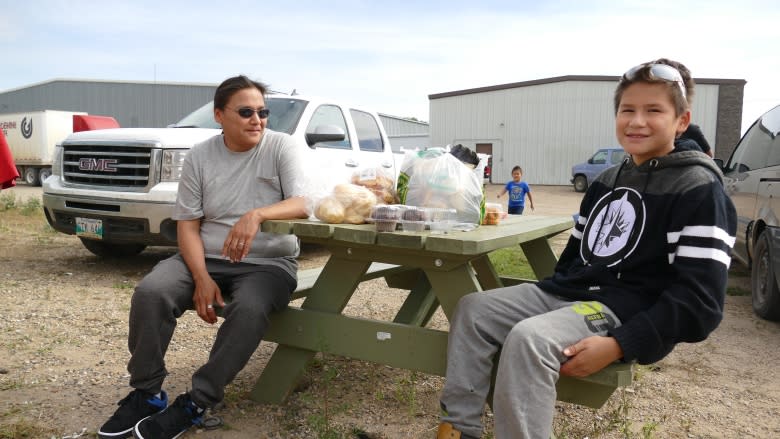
[{"x": 116, "y": 188}]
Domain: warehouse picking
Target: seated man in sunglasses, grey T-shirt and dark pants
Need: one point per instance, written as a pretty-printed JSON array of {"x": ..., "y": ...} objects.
[{"x": 230, "y": 184}]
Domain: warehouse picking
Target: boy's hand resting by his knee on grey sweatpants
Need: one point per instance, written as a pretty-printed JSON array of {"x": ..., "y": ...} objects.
[{"x": 590, "y": 355}]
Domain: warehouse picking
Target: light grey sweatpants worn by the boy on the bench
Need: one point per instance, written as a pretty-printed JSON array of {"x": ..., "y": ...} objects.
[{"x": 531, "y": 328}]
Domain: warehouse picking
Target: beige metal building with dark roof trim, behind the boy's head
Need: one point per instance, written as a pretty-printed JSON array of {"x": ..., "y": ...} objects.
[{"x": 546, "y": 126}]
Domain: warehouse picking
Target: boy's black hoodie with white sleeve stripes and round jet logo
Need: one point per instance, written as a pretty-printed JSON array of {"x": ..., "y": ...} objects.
[{"x": 653, "y": 243}]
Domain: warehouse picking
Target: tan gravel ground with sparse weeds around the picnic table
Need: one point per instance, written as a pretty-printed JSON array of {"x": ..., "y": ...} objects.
[{"x": 63, "y": 354}]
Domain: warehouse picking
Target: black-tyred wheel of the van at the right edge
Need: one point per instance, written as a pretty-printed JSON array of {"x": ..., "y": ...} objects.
[{"x": 766, "y": 295}]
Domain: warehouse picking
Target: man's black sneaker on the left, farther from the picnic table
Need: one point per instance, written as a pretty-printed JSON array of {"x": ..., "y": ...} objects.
[{"x": 135, "y": 406}]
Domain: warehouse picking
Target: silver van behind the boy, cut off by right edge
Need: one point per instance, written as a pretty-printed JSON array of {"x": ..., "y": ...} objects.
[{"x": 753, "y": 182}]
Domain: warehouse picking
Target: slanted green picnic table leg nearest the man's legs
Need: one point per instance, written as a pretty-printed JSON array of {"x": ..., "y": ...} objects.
[{"x": 331, "y": 292}]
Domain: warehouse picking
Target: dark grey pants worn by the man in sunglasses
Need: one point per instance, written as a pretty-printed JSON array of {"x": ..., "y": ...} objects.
[{"x": 166, "y": 292}]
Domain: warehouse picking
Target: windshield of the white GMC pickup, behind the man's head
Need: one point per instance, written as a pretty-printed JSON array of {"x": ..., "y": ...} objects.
[{"x": 285, "y": 113}]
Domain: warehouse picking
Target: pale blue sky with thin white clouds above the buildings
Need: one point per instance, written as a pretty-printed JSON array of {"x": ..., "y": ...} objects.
[{"x": 388, "y": 56}]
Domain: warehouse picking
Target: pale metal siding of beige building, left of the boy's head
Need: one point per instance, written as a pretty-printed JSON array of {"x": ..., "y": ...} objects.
[{"x": 546, "y": 128}]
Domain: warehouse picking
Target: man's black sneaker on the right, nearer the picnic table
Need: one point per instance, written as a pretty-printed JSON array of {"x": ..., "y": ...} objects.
[{"x": 171, "y": 422}]
